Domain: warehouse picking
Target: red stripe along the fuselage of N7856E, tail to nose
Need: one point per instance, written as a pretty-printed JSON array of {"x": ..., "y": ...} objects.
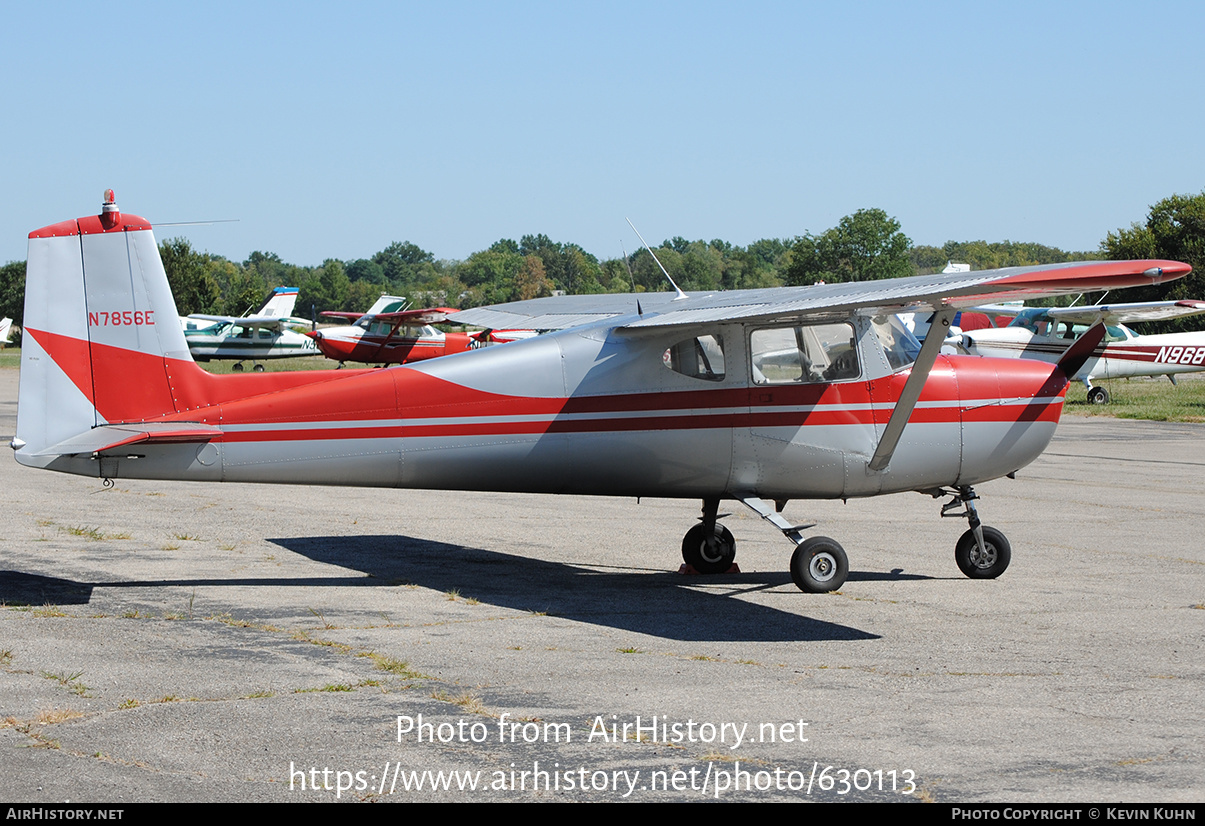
[{"x": 142, "y": 388}]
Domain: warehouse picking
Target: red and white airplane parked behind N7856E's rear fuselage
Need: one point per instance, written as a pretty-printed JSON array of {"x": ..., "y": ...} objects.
[{"x": 390, "y": 333}]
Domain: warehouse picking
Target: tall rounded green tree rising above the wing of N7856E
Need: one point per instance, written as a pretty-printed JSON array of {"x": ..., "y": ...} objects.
[{"x": 865, "y": 247}]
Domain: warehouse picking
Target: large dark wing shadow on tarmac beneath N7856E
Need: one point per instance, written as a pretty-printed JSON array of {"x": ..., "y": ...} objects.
[{"x": 632, "y": 600}]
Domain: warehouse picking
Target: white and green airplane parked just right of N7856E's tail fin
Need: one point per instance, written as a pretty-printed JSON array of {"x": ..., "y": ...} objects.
[{"x": 266, "y": 335}]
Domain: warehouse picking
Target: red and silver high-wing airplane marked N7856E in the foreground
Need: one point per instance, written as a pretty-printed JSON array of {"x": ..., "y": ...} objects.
[{"x": 754, "y": 396}]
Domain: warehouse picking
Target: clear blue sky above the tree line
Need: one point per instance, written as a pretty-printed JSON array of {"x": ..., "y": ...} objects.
[{"x": 333, "y": 130}]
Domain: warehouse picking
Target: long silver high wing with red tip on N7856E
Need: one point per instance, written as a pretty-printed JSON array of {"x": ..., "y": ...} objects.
[{"x": 934, "y": 292}]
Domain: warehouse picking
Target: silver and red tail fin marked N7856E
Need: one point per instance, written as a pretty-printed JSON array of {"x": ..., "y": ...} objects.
[{"x": 103, "y": 343}]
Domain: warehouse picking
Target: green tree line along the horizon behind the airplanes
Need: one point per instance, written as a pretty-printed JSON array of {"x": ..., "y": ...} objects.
[{"x": 867, "y": 245}]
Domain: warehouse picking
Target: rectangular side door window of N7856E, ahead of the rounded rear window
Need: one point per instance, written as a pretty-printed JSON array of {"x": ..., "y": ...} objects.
[{"x": 818, "y": 353}]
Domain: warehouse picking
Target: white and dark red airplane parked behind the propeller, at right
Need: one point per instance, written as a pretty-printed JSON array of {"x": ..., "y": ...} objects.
[{"x": 1045, "y": 335}]
